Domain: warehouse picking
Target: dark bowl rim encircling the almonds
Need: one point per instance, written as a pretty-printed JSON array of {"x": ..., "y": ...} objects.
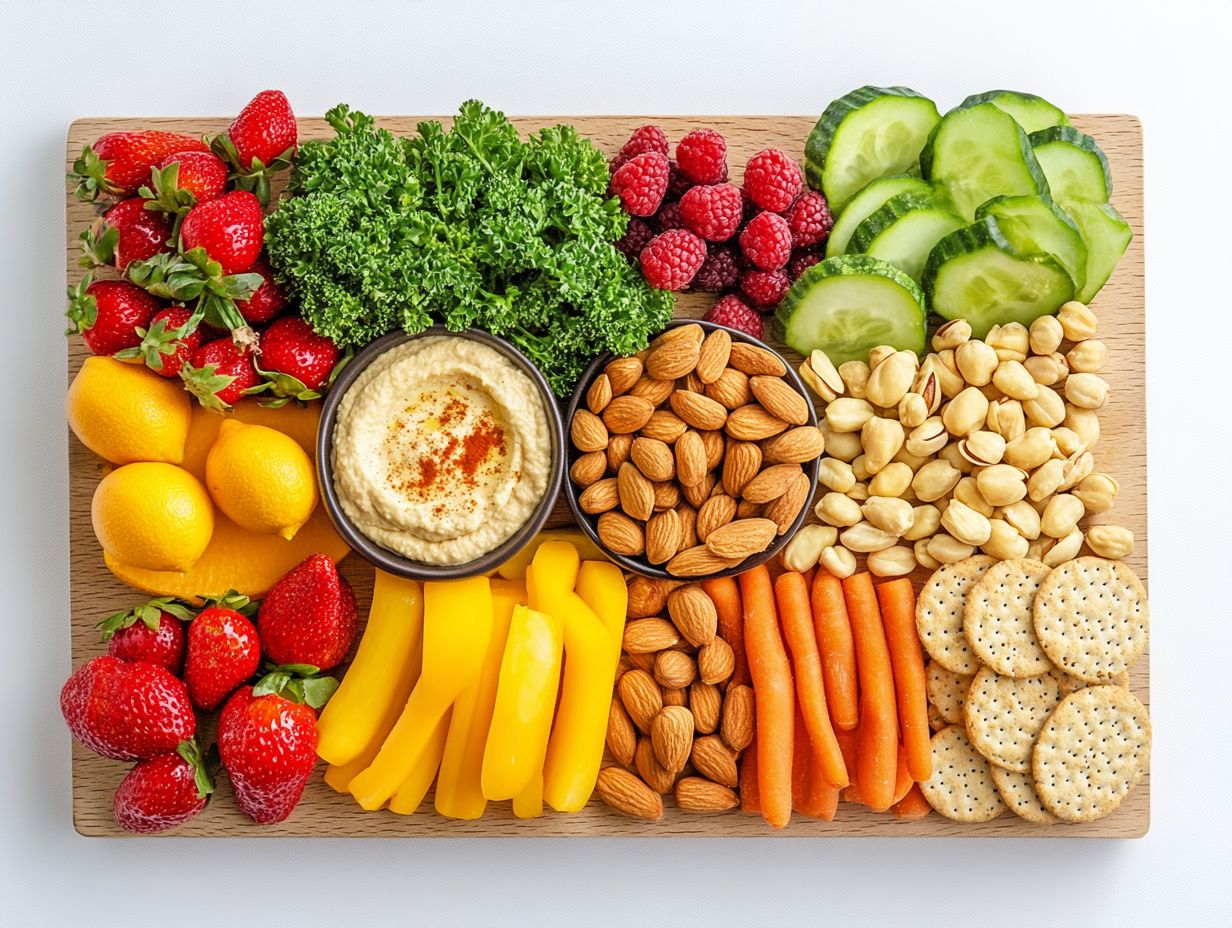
[{"x": 640, "y": 565}]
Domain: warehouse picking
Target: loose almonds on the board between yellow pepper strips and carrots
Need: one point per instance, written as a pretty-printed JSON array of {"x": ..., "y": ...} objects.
[{"x": 681, "y": 714}]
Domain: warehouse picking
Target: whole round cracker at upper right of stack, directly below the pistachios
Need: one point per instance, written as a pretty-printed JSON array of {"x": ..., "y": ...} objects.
[{"x": 1092, "y": 619}]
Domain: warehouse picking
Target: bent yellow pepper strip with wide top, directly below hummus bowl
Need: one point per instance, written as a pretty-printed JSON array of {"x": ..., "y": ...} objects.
[{"x": 458, "y": 628}]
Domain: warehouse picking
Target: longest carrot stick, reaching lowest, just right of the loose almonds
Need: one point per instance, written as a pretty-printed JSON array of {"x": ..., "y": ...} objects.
[{"x": 774, "y": 696}]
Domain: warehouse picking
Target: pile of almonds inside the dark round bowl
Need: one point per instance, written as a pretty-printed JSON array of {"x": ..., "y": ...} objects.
[{"x": 692, "y": 453}]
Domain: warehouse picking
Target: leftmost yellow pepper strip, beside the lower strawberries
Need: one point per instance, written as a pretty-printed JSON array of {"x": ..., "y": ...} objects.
[{"x": 373, "y": 687}]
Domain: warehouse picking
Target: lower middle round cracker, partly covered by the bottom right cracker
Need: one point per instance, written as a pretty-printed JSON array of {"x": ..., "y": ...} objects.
[{"x": 1005, "y": 715}]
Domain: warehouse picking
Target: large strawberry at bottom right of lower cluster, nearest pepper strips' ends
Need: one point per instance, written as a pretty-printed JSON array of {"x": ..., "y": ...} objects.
[{"x": 269, "y": 746}]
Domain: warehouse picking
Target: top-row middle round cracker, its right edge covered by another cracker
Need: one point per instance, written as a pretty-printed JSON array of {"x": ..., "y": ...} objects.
[{"x": 997, "y": 619}]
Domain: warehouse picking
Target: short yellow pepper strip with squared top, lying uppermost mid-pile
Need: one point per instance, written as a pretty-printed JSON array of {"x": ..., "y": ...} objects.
[{"x": 522, "y": 719}]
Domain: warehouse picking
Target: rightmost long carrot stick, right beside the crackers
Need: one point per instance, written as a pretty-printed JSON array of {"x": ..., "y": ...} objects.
[{"x": 898, "y": 602}]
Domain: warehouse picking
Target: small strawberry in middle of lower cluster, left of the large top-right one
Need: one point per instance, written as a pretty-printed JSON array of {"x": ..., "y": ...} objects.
[{"x": 224, "y": 651}]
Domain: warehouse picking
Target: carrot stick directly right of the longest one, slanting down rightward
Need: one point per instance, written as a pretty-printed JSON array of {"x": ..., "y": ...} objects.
[{"x": 792, "y": 595}]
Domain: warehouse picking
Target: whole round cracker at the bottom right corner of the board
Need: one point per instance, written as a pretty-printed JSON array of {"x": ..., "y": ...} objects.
[{"x": 1091, "y": 754}]
